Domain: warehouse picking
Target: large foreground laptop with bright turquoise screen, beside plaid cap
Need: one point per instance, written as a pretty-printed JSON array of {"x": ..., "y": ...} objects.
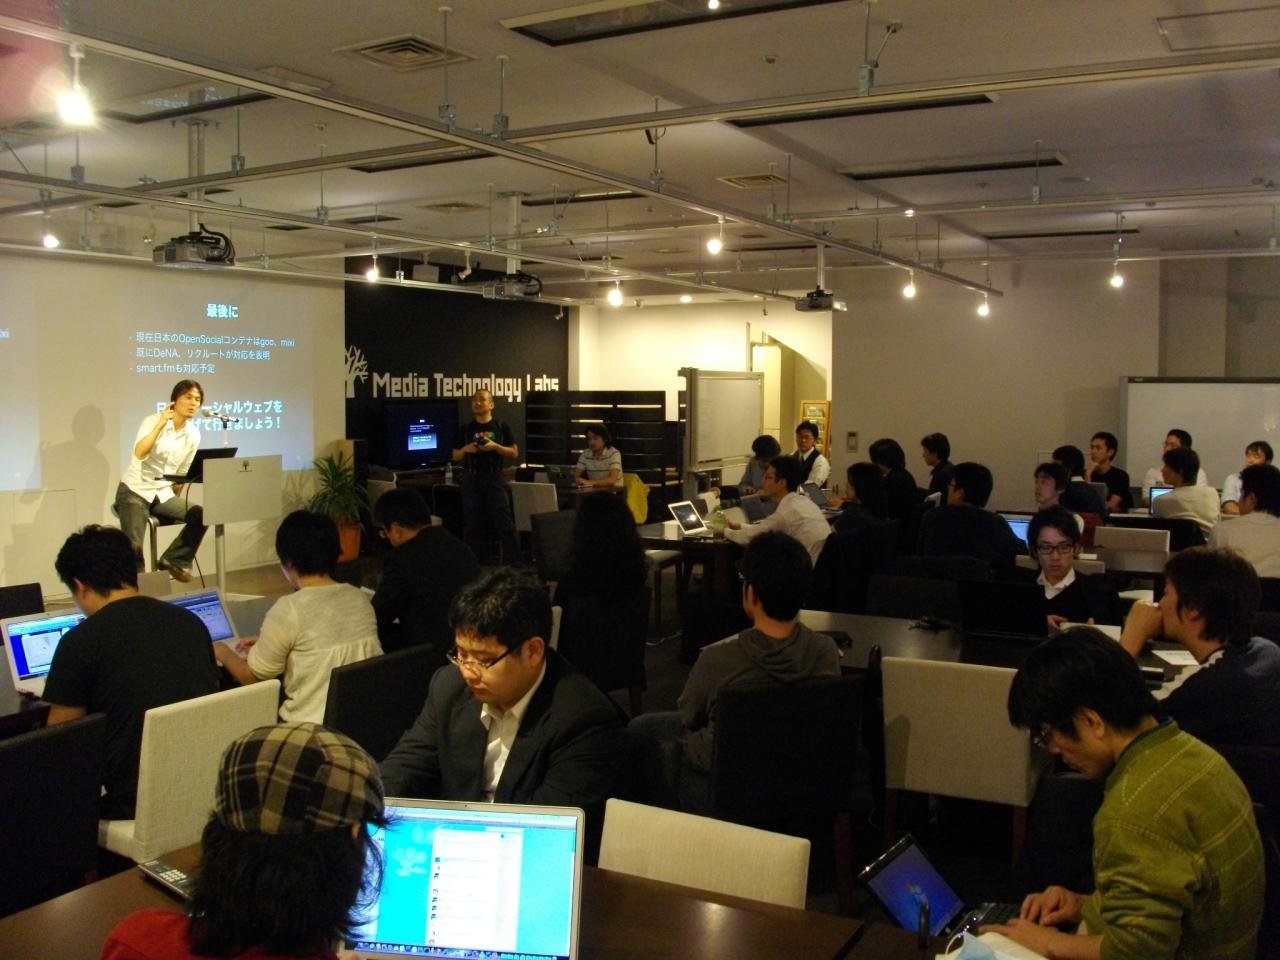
[{"x": 474, "y": 880}]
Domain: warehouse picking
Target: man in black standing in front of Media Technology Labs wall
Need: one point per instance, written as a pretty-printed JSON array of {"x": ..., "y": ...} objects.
[{"x": 486, "y": 510}]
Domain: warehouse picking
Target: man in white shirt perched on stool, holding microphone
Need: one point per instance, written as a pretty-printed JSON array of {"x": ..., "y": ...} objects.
[{"x": 167, "y": 444}]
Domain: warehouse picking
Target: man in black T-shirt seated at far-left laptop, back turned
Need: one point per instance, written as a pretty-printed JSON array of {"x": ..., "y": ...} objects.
[{"x": 130, "y": 655}]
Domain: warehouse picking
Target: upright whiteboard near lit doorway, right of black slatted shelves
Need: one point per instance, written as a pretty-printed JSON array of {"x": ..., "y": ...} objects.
[{"x": 726, "y": 414}]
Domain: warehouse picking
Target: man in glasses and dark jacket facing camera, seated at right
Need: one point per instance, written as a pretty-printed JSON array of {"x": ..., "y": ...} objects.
[{"x": 1071, "y": 597}]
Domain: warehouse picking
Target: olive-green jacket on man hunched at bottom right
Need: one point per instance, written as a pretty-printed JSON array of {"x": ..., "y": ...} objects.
[{"x": 1177, "y": 856}]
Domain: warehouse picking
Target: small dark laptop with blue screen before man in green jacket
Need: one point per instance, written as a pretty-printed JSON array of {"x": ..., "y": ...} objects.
[{"x": 903, "y": 881}]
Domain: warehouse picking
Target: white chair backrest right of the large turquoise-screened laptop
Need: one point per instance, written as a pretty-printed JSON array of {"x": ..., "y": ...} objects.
[{"x": 698, "y": 852}]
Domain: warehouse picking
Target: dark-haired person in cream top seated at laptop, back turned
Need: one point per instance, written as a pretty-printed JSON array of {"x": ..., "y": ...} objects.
[{"x": 309, "y": 633}]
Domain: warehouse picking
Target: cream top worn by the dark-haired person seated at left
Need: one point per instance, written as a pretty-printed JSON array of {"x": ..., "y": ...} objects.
[{"x": 305, "y": 636}]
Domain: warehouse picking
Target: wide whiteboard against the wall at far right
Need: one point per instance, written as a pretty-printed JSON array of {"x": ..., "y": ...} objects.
[{"x": 1223, "y": 418}]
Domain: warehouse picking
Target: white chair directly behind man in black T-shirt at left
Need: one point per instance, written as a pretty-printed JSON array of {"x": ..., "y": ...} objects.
[{"x": 182, "y": 746}]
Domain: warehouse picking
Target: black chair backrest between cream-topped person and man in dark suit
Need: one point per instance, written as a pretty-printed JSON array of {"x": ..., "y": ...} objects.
[{"x": 394, "y": 683}]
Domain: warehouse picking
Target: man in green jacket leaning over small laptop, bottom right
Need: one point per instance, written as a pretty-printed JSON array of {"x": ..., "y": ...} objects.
[{"x": 1177, "y": 857}]
